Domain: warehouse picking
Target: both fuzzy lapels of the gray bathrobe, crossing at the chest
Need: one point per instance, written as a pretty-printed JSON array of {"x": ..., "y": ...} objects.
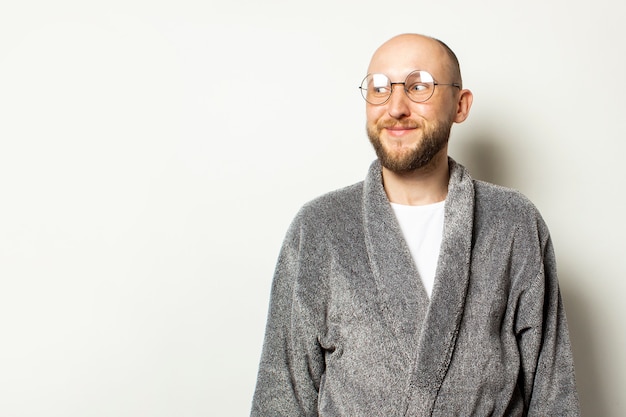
[{"x": 403, "y": 298}]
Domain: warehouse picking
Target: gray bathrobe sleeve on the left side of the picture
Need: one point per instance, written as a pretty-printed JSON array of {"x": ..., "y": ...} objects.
[{"x": 292, "y": 361}]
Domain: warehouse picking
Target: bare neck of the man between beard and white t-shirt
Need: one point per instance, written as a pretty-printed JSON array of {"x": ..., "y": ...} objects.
[{"x": 426, "y": 185}]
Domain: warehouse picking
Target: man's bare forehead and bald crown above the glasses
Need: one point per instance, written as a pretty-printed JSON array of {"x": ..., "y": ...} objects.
[{"x": 404, "y": 54}]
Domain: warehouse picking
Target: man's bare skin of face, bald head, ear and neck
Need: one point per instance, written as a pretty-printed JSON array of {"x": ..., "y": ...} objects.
[{"x": 401, "y": 127}]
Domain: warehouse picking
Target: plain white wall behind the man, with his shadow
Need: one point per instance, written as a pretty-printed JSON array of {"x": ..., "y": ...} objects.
[{"x": 153, "y": 154}]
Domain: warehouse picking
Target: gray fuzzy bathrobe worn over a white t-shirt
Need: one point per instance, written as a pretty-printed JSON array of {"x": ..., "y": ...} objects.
[{"x": 351, "y": 331}]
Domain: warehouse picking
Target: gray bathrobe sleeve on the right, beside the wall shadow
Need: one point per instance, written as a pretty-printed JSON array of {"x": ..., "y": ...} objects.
[{"x": 547, "y": 364}]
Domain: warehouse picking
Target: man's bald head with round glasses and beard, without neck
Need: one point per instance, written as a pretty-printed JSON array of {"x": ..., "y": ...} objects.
[{"x": 409, "y": 135}]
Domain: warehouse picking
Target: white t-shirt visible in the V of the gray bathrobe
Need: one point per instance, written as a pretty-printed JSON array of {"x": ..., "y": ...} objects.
[{"x": 422, "y": 227}]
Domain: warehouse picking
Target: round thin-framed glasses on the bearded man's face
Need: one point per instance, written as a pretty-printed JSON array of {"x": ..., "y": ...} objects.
[{"x": 419, "y": 86}]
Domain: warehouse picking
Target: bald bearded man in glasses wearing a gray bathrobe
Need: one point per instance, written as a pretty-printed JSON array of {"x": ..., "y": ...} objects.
[{"x": 419, "y": 291}]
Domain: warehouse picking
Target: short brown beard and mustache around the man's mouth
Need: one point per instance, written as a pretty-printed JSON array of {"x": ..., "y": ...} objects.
[{"x": 433, "y": 140}]
